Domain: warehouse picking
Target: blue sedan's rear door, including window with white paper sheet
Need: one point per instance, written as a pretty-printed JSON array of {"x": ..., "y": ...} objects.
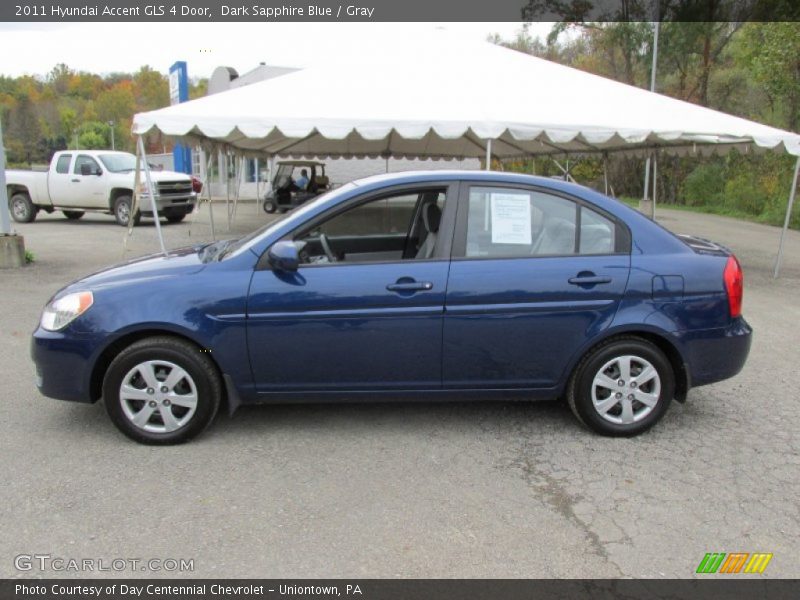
[{"x": 534, "y": 274}]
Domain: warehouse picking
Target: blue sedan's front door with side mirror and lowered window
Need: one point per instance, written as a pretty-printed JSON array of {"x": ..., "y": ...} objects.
[{"x": 364, "y": 311}]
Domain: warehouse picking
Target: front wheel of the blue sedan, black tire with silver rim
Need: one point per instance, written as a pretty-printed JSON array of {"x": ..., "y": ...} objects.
[{"x": 147, "y": 414}]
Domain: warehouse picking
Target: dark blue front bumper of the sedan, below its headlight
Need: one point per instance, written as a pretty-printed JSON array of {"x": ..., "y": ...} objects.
[{"x": 63, "y": 364}]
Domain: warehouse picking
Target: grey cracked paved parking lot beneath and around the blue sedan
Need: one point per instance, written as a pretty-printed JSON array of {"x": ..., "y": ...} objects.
[{"x": 409, "y": 489}]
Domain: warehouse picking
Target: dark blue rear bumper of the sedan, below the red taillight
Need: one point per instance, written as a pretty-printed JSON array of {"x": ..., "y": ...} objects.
[{"x": 716, "y": 354}]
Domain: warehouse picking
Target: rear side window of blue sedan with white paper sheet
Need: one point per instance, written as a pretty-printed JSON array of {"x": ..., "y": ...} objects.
[{"x": 507, "y": 222}]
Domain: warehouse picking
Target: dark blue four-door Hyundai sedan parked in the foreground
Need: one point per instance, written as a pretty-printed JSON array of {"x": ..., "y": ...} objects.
[{"x": 441, "y": 285}]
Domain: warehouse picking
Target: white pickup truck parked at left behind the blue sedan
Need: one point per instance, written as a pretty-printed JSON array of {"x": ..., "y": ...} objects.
[{"x": 100, "y": 181}]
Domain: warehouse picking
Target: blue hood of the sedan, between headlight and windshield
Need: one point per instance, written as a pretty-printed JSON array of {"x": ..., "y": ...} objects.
[{"x": 183, "y": 261}]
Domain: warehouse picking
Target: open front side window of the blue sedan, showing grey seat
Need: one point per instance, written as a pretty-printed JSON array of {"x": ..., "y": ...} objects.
[{"x": 402, "y": 226}]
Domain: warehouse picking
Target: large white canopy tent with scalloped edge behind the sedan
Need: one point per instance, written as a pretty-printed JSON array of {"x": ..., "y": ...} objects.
[{"x": 444, "y": 99}]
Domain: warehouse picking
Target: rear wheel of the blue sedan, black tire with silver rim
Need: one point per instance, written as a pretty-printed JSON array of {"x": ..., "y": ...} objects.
[{"x": 600, "y": 402}]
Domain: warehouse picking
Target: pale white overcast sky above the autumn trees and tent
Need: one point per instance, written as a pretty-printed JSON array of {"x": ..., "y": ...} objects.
[{"x": 35, "y": 48}]
